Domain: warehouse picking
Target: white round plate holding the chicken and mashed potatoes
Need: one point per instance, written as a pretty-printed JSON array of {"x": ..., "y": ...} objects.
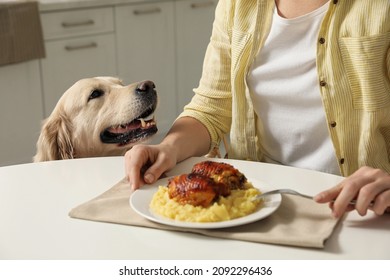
[{"x": 141, "y": 199}]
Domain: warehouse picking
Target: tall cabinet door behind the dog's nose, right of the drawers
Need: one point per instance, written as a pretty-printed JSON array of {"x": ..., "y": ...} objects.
[{"x": 146, "y": 51}]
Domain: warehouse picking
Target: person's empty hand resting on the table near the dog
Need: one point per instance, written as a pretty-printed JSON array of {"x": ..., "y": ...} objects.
[{"x": 146, "y": 163}]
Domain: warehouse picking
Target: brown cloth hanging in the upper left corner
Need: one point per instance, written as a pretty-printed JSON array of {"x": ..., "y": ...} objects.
[{"x": 21, "y": 36}]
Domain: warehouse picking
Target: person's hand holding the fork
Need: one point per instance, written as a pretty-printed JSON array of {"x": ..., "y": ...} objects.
[{"x": 370, "y": 187}]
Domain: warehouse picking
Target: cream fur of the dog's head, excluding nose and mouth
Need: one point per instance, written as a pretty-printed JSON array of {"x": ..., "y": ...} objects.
[{"x": 73, "y": 128}]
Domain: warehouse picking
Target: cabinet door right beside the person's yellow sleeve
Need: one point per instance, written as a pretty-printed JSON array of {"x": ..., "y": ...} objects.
[{"x": 194, "y": 19}]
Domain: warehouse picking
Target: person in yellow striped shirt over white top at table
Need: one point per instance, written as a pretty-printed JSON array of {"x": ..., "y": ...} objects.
[{"x": 295, "y": 82}]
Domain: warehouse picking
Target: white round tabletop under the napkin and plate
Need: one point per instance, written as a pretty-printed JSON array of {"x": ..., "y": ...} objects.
[{"x": 35, "y": 200}]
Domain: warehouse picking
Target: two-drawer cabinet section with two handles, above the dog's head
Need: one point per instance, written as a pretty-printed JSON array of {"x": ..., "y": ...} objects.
[{"x": 79, "y": 44}]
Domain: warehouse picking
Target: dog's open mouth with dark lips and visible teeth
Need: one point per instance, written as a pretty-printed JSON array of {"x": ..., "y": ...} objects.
[{"x": 138, "y": 129}]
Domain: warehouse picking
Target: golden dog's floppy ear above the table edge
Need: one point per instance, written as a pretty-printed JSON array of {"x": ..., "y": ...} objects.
[{"x": 55, "y": 140}]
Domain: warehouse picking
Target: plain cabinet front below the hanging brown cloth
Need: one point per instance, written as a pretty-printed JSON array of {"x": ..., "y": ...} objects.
[{"x": 20, "y": 112}]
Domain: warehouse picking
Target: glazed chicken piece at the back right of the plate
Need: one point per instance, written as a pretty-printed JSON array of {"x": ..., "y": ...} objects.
[{"x": 222, "y": 173}]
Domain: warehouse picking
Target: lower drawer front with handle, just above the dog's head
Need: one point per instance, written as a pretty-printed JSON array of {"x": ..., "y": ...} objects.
[{"x": 68, "y": 61}]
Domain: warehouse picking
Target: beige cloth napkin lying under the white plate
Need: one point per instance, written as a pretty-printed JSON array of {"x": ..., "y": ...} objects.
[{"x": 297, "y": 222}]
